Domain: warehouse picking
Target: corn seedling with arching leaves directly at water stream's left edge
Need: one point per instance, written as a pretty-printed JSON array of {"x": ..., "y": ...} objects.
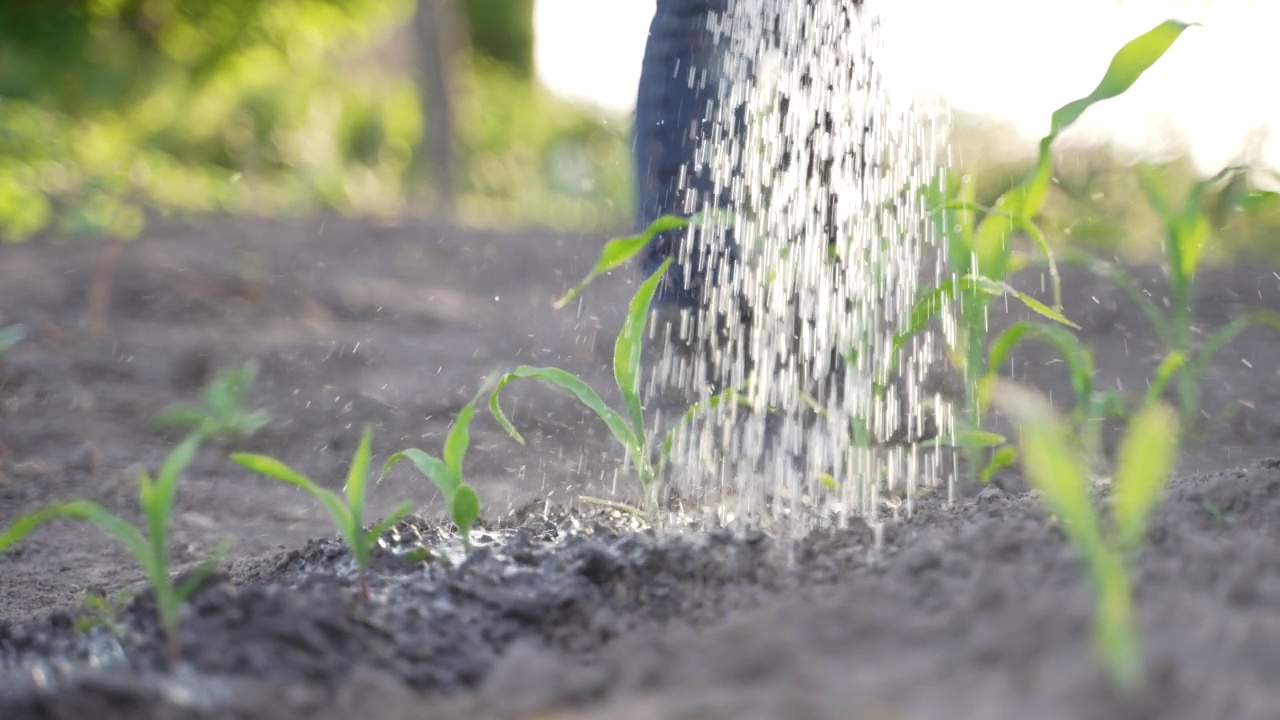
[{"x": 627, "y": 427}]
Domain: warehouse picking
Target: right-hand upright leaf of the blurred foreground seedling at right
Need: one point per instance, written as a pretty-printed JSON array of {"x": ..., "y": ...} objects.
[{"x": 1144, "y": 463}]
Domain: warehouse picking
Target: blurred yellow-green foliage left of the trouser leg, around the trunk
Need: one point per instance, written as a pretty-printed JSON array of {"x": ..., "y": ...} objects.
[{"x": 111, "y": 110}]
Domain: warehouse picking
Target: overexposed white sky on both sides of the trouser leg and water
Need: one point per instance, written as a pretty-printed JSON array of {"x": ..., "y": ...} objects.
[{"x": 1016, "y": 61}]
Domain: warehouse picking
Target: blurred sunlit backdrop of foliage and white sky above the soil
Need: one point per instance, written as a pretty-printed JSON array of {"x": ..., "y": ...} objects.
[{"x": 108, "y": 120}]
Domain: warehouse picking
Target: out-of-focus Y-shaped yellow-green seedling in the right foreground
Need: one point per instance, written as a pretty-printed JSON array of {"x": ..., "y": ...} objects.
[{"x": 1054, "y": 466}]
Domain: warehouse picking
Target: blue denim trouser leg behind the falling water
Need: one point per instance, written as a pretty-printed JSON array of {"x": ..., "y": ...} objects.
[{"x": 676, "y": 110}]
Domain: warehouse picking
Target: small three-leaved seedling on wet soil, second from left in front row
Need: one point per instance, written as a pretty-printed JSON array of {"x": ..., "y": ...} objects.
[{"x": 348, "y": 517}]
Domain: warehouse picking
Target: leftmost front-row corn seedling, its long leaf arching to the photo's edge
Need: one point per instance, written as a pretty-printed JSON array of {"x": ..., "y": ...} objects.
[{"x": 150, "y": 548}]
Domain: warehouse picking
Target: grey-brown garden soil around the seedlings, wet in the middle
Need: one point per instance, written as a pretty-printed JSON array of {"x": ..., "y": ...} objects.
[{"x": 972, "y": 608}]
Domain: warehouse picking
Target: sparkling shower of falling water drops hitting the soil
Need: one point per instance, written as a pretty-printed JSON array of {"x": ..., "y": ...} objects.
[{"x": 819, "y": 170}]
